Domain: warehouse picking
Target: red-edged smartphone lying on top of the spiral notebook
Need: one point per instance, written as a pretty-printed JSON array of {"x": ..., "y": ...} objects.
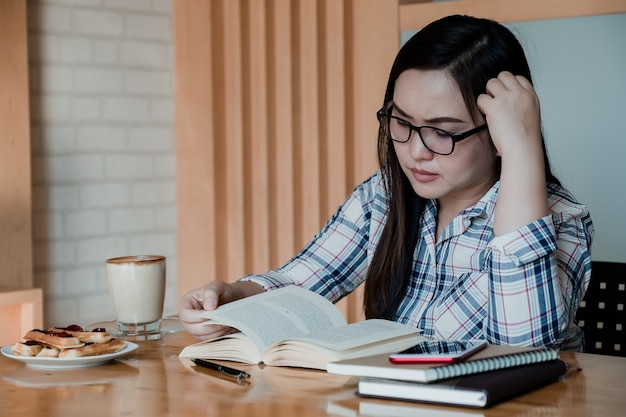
[{"x": 433, "y": 351}]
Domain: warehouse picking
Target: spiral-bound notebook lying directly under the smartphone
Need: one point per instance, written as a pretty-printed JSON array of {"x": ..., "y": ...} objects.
[{"x": 492, "y": 358}]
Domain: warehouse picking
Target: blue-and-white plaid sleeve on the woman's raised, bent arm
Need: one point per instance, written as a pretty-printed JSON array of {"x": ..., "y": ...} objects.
[{"x": 537, "y": 277}]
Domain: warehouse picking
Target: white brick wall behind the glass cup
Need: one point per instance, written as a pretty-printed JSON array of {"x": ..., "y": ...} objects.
[{"x": 103, "y": 150}]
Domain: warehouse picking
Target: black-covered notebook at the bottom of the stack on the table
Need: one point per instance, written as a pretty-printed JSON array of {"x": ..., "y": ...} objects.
[{"x": 478, "y": 390}]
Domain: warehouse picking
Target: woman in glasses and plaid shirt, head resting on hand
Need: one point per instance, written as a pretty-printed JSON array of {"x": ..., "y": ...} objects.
[{"x": 464, "y": 231}]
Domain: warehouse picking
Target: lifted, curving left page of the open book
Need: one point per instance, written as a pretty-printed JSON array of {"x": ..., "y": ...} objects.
[{"x": 280, "y": 314}]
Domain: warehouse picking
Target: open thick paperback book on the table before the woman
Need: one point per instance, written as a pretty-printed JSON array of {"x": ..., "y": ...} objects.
[{"x": 292, "y": 326}]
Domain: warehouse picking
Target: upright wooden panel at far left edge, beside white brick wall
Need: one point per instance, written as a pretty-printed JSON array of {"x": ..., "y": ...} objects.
[{"x": 15, "y": 178}]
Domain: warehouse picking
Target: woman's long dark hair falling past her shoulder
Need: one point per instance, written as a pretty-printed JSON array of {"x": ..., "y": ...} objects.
[{"x": 472, "y": 51}]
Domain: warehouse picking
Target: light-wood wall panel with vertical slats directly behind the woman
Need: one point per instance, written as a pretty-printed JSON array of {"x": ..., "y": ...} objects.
[{"x": 275, "y": 125}]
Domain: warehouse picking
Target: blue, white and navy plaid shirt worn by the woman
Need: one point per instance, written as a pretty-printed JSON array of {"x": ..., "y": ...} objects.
[{"x": 521, "y": 288}]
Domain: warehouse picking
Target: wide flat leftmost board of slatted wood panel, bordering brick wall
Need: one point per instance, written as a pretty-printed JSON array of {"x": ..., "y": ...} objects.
[{"x": 196, "y": 193}]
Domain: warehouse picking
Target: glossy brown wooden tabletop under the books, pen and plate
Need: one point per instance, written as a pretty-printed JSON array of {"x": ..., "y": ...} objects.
[{"x": 152, "y": 381}]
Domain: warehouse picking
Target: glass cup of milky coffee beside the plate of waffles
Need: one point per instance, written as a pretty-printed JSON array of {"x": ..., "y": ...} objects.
[{"x": 137, "y": 290}]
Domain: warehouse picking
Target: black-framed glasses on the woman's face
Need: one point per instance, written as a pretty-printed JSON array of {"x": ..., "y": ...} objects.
[{"x": 436, "y": 140}]
